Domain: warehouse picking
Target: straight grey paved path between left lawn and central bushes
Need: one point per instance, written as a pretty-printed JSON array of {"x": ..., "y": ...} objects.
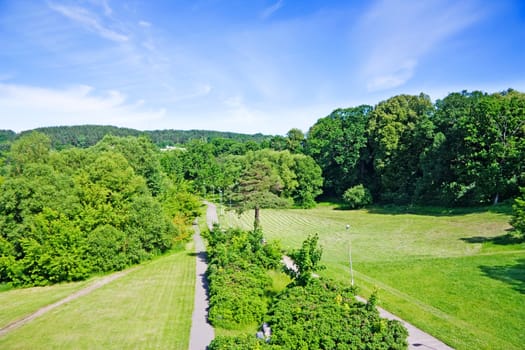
[{"x": 201, "y": 331}]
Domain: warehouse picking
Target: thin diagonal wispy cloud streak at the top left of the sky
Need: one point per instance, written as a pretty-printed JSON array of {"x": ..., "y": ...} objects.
[{"x": 90, "y": 21}]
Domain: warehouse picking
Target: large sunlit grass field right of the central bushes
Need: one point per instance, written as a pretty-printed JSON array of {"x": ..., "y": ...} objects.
[{"x": 442, "y": 270}]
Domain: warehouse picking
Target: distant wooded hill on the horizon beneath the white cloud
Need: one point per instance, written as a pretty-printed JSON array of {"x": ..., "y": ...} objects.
[{"x": 88, "y": 135}]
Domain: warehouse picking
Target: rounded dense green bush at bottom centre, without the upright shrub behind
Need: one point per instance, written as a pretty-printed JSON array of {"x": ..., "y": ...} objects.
[{"x": 321, "y": 315}]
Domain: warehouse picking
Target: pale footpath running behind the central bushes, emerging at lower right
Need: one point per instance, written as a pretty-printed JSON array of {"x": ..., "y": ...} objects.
[{"x": 417, "y": 339}]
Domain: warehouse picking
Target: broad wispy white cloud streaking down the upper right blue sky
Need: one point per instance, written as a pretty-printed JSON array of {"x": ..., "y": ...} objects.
[{"x": 396, "y": 34}]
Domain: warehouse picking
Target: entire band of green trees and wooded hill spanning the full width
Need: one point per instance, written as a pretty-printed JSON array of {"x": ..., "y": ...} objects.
[{"x": 78, "y": 200}]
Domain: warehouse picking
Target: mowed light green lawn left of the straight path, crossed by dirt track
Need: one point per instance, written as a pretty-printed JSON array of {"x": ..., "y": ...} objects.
[{"x": 148, "y": 308}]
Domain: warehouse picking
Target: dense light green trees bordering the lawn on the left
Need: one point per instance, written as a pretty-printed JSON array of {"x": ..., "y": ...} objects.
[{"x": 67, "y": 214}]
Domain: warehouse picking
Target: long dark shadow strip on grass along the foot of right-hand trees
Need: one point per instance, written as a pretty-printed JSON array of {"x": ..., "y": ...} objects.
[{"x": 504, "y": 209}]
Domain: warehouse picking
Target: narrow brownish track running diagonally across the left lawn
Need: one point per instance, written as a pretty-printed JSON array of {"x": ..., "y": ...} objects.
[{"x": 76, "y": 295}]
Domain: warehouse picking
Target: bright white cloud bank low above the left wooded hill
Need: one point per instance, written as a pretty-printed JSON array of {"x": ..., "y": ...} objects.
[{"x": 27, "y": 107}]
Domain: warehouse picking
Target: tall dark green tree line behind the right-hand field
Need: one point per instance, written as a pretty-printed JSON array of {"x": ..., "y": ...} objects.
[{"x": 466, "y": 149}]
